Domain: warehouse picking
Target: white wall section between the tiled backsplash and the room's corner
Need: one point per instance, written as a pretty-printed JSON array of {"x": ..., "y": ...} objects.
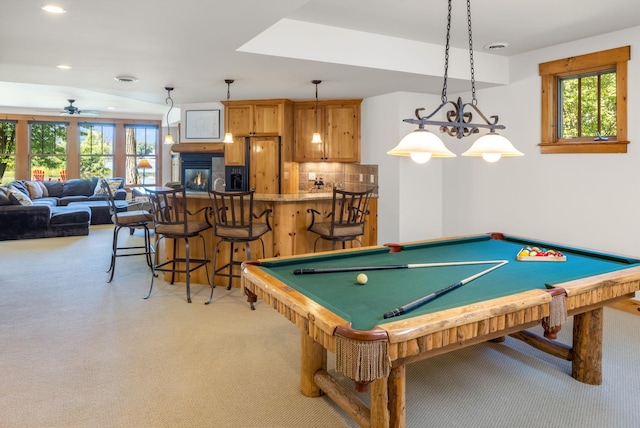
[{"x": 410, "y": 195}]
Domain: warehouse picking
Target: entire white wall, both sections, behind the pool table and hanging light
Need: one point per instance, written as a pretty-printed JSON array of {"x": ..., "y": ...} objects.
[{"x": 587, "y": 200}]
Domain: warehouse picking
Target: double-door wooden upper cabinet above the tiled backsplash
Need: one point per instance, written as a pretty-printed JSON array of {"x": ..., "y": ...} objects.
[{"x": 338, "y": 123}]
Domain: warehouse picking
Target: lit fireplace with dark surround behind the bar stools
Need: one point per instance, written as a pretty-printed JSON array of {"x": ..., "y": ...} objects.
[{"x": 201, "y": 171}]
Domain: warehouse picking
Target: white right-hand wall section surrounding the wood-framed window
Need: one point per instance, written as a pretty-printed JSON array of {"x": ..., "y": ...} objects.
[{"x": 583, "y": 199}]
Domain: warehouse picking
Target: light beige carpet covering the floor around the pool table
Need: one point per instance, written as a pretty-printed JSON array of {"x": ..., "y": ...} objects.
[{"x": 78, "y": 352}]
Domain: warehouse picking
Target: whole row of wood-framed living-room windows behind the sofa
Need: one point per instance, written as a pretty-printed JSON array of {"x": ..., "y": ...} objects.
[{"x": 51, "y": 149}]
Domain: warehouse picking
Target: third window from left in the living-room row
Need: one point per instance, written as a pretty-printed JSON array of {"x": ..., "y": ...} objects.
[{"x": 96, "y": 149}]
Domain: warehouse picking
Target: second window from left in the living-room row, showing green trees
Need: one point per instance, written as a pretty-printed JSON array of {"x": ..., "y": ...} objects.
[{"x": 48, "y": 154}]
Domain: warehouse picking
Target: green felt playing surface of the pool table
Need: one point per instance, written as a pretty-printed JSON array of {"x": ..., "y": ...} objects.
[{"x": 365, "y": 305}]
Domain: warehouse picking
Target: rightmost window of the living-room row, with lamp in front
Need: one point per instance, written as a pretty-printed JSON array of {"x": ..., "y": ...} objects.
[{"x": 141, "y": 142}]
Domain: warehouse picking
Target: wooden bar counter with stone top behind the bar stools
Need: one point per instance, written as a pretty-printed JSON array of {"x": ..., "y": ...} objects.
[{"x": 289, "y": 220}]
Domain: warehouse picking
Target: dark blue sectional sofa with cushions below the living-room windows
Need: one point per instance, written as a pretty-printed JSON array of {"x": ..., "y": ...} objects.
[{"x": 36, "y": 209}]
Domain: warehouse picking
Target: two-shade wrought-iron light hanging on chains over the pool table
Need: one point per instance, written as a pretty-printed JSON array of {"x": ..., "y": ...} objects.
[{"x": 422, "y": 145}]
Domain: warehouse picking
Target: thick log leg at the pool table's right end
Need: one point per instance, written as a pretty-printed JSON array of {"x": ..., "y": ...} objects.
[{"x": 586, "y": 364}]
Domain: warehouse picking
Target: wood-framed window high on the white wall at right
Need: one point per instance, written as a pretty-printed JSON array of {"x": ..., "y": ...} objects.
[{"x": 584, "y": 103}]
